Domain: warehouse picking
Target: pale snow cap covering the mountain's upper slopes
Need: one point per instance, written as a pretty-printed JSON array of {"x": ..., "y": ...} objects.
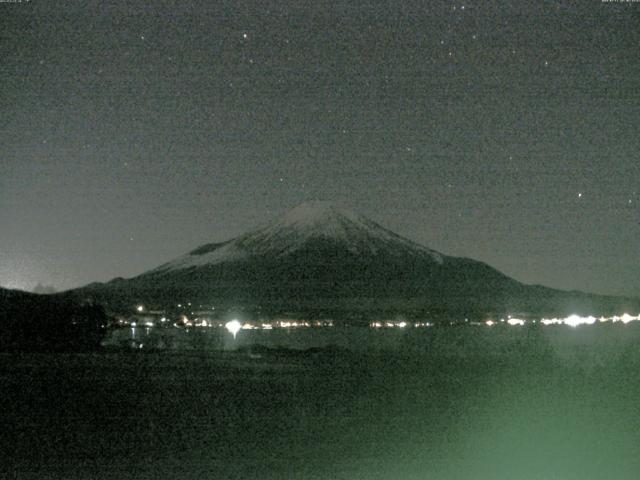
[{"x": 308, "y": 222}]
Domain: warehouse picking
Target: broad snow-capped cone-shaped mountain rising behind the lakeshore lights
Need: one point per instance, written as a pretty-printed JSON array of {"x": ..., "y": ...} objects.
[{"x": 322, "y": 260}]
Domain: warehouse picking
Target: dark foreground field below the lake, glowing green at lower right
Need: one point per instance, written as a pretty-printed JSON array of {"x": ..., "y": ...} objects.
[{"x": 524, "y": 414}]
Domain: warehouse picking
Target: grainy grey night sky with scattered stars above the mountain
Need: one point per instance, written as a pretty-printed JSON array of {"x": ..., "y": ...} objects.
[{"x": 503, "y": 131}]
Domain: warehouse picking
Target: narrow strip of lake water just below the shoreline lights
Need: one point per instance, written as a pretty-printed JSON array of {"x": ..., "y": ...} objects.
[{"x": 562, "y": 340}]
